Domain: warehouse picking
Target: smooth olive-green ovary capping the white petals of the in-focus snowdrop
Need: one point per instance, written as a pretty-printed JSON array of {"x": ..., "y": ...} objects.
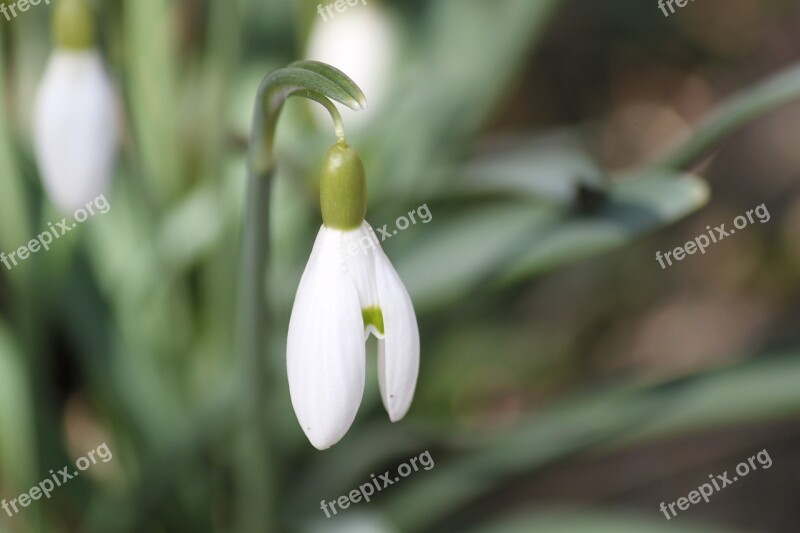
[{"x": 343, "y": 188}]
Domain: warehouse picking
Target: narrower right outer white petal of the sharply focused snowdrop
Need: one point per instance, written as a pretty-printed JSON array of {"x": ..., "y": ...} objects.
[{"x": 398, "y": 352}]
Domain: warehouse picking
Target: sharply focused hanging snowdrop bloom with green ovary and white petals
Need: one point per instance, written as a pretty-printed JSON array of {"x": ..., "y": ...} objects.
[{"x": 349, "y": 289}]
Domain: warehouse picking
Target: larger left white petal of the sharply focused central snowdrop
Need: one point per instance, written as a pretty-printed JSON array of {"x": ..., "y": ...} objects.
[{"x": 325, "y": 356}]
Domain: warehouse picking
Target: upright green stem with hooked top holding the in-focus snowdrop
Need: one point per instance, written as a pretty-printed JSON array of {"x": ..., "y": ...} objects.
[{"x": 320, "y": 83}]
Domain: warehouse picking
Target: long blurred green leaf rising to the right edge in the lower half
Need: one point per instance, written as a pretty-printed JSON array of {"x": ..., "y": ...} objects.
[{"x": 755, "y": 391}]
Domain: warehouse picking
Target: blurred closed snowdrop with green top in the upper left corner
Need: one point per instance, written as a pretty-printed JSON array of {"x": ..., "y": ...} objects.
[{"x": 75, "y": 115}]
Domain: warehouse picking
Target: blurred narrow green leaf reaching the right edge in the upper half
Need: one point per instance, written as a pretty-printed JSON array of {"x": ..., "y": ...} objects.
[{"x": 775, "y": 92}]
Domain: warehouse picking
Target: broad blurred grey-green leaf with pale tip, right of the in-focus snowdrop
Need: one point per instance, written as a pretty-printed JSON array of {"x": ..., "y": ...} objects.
[{"x": 514, "y": 239}]
